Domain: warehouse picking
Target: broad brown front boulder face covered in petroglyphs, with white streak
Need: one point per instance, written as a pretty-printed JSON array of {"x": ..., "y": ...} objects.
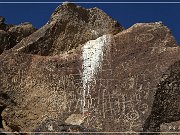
[{"x": 109, "y": 83}]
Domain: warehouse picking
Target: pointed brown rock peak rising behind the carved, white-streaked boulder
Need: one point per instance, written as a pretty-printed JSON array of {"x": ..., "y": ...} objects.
[{"x": 69, "y": 27}]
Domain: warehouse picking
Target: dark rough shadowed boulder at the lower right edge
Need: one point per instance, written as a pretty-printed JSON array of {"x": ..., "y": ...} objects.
[{"x": 166, "y": 110}]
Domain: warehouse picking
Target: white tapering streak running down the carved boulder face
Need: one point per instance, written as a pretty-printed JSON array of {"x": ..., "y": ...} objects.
[{"x": 92, "y": 61}]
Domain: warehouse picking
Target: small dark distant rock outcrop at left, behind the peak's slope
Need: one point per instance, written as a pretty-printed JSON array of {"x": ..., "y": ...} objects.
[{"x": 10, "y": 35}]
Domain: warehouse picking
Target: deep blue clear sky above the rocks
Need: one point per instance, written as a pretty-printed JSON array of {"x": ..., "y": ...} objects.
[{"x": 125, "y": 14}]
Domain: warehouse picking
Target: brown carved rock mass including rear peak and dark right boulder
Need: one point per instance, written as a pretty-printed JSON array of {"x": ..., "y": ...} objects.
[{"x": 83, "y": 71}]
